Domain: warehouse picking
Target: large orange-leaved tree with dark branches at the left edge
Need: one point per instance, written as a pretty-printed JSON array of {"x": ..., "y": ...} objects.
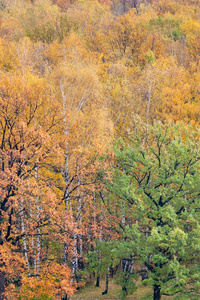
[{"x": 27, "y": 200}]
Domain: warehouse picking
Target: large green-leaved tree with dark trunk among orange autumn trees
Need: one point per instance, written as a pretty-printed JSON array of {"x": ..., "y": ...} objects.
[{"x": 157, "y": 177}]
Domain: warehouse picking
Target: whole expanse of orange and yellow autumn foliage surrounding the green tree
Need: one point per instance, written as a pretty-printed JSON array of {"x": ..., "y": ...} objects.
[{"x": 74, "y": 75}]
